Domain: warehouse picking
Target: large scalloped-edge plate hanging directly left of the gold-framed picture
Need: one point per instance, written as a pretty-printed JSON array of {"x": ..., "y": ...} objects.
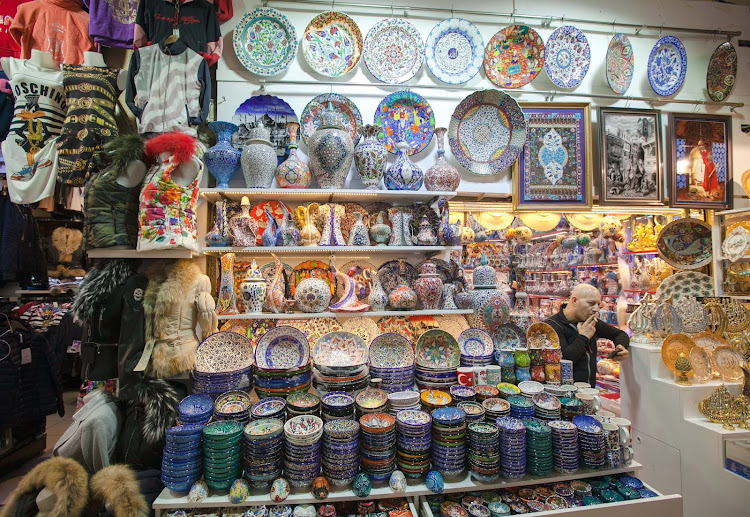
[{"x": 487, "y": 132}]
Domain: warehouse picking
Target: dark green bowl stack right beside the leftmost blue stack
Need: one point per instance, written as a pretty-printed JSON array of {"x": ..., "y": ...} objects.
[{"x": 222, "y": 452}]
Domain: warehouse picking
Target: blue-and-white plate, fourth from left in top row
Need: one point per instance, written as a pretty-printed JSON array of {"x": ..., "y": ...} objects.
[{"x": 454, "y": 50}]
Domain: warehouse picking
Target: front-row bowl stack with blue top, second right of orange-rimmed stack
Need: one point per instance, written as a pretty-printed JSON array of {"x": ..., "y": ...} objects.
[{"x": 449, "y": 441}]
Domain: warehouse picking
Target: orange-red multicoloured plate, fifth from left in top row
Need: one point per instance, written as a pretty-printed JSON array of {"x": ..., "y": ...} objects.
[{"x": 514, "y": 56}]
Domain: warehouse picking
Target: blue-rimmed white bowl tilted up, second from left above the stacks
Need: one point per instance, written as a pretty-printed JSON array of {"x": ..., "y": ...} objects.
[{"x": 282, "y": 348}]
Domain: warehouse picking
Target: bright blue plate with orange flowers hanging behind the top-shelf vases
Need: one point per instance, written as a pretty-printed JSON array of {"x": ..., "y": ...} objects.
[{"x": 405, "y": 116}]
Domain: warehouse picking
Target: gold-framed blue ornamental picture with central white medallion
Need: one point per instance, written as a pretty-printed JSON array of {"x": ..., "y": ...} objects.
[{"x": 554, "y": 170}]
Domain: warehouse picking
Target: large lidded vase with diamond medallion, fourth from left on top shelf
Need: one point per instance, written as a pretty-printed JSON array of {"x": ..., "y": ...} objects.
[{"x": 331, "y": 151}]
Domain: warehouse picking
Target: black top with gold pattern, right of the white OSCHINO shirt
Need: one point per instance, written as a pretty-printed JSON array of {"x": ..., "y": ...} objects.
[{"x": 91, "y": 96}]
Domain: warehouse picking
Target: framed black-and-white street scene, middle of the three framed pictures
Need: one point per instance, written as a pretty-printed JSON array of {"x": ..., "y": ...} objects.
[{"x": 630, "y": 157}]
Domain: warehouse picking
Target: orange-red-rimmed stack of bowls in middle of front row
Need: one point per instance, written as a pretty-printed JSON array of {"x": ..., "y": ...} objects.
[{"x": 377, "y": 446}]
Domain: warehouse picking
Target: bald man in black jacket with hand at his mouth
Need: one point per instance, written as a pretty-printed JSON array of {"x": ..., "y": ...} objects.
[{"x": 578, "y": 328}]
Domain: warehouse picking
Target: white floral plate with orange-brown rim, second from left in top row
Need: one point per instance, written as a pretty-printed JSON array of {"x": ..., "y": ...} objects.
[{"x": 332, "y": 44}]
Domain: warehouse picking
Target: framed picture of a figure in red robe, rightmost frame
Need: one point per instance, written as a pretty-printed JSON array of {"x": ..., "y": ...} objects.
[{"x": 700, "y": 151}]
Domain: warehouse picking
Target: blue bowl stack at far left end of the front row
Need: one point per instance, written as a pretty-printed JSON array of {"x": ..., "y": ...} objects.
[{"x": 182, "y": 459}]
